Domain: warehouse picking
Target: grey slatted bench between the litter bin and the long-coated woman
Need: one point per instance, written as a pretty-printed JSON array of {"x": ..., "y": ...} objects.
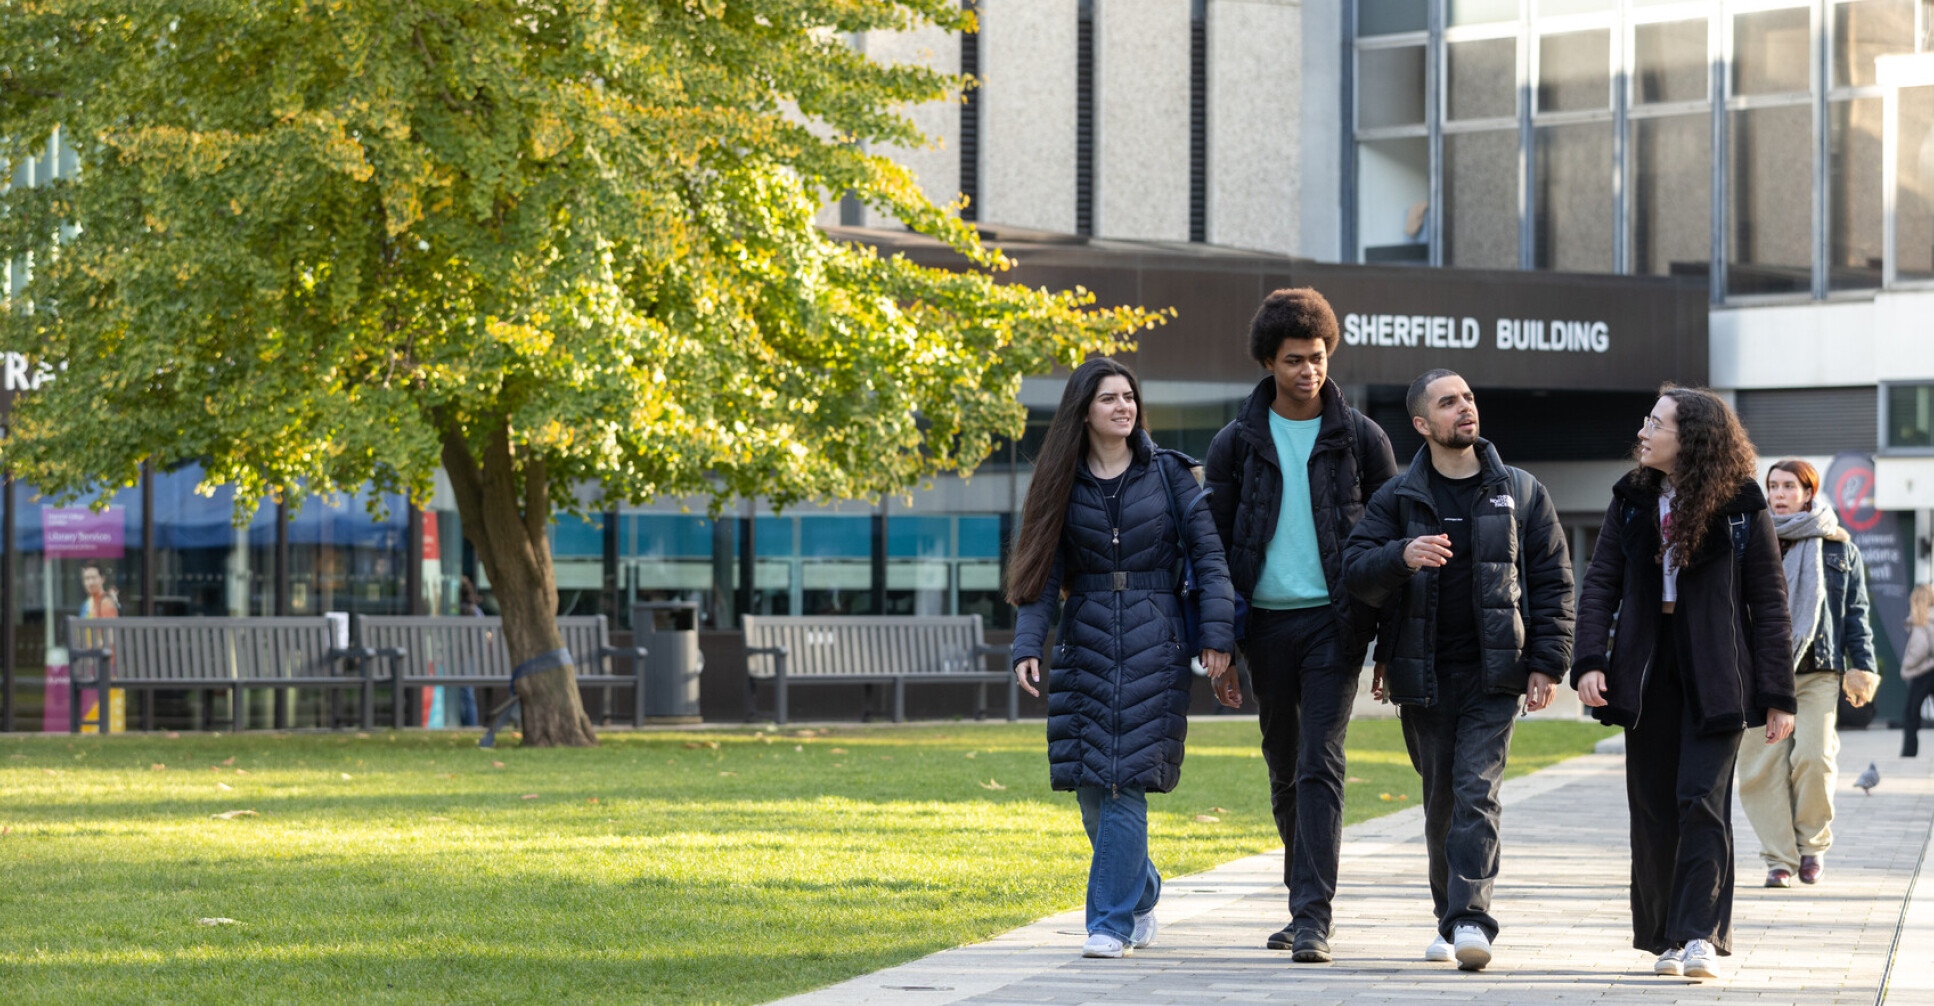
[{"x": 871, "y": 651}]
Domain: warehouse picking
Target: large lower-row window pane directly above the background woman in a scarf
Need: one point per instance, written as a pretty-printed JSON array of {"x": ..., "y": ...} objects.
[{"x": 1771, "y": 194}]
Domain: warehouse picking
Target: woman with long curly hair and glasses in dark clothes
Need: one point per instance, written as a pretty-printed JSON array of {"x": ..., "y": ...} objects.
[{"x": 1689, "y": 566}]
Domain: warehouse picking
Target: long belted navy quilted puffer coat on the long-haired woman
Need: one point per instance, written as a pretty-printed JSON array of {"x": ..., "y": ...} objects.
[{"x": 1119, "y": 682}]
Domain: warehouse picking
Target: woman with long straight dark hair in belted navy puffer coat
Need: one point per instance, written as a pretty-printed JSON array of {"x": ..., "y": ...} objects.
[{"x": 1105, "y": 525}]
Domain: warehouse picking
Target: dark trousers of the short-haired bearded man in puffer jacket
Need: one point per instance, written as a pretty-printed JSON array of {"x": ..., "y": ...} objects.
[{"x": 1459, "y": 748}]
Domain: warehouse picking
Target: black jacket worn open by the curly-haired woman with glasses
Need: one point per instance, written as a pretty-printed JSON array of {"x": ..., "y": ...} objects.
[{"x": 1734, "y": 612}]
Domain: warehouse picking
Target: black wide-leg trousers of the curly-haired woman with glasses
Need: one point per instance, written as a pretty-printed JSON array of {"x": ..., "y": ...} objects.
[{"x": 1680, "y": 786}]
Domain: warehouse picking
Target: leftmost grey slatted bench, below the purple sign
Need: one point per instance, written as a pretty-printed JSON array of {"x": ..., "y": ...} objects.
[{"x": 214, "y": 655}]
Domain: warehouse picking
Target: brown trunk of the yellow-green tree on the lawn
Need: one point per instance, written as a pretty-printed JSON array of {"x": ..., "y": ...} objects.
[{"x": 508, "y": 510}]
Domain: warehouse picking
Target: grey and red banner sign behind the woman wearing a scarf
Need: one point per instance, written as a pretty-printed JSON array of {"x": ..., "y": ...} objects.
[{"x": 1883, "y": 539}]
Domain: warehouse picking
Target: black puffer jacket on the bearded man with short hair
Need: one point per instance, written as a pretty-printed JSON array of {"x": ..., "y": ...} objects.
[{"x": 1523, "y": 624}]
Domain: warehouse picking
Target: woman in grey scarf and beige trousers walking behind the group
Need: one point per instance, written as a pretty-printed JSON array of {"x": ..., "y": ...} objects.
[{"x": 1788, "y": 788}]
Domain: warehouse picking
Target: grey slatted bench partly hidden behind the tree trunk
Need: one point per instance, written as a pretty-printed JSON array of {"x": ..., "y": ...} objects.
[{"x": 430, "y": 651}]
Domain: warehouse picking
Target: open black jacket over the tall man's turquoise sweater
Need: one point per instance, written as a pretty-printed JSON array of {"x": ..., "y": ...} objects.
[{"x": 1349, "y": 463}]
